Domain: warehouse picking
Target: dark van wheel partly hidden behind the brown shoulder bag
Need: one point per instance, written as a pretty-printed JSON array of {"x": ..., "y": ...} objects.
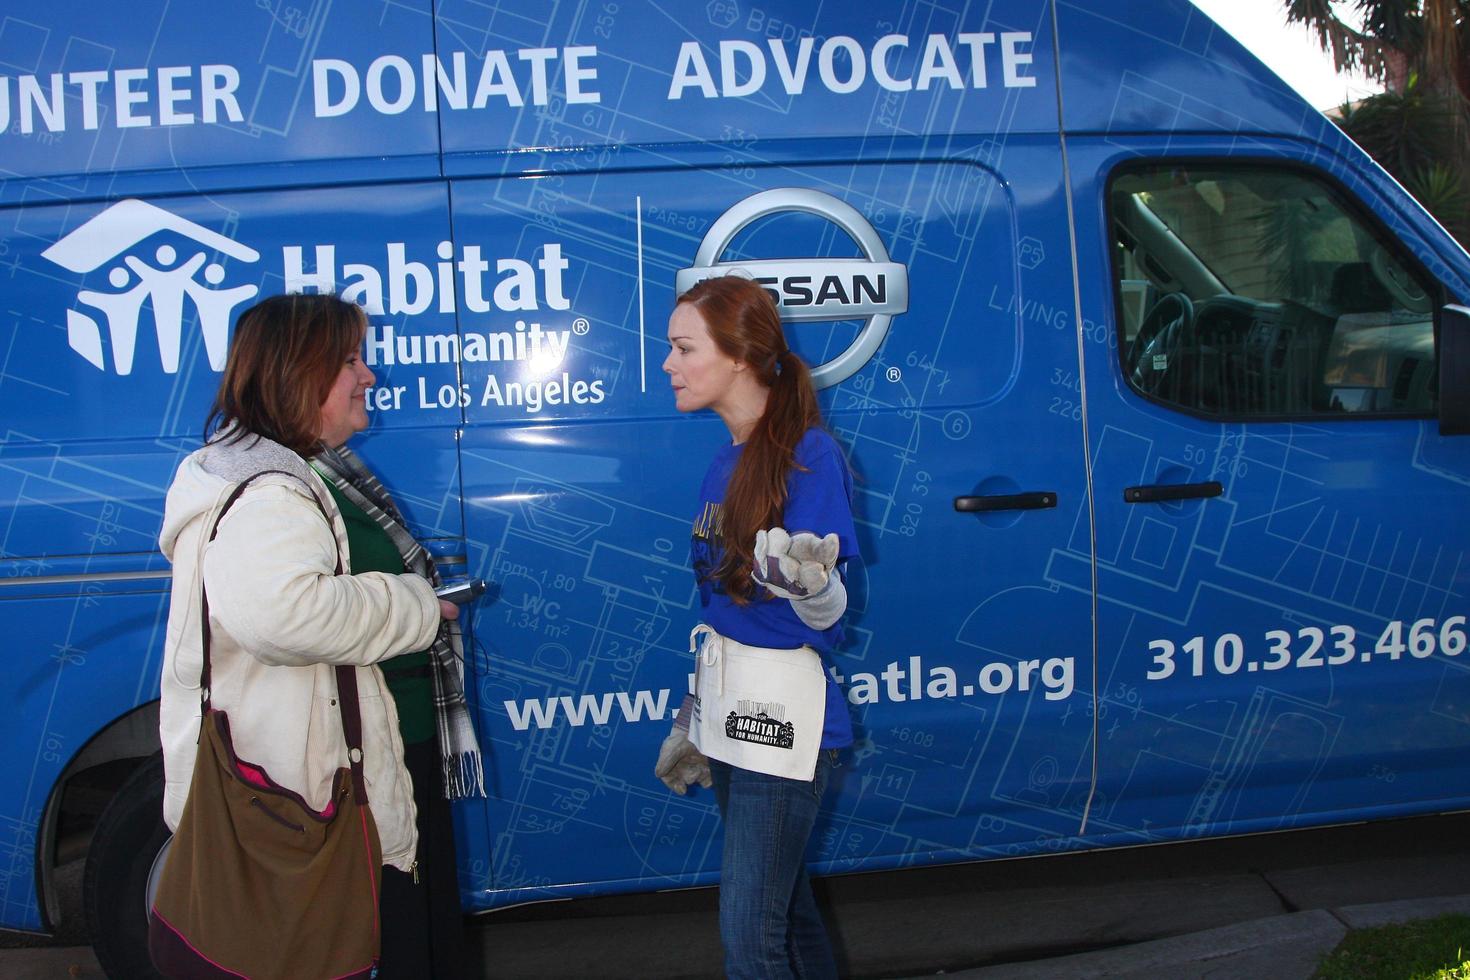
[{"x": 115, "y": 884}]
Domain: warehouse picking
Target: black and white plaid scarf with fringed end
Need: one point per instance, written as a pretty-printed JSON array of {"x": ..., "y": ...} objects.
[{"x": 459, "y": 750}]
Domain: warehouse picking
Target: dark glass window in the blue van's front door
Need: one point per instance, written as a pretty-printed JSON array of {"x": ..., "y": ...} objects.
[{"x": 1247, "y": 292}]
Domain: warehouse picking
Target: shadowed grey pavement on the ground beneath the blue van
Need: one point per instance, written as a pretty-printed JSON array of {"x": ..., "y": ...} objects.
[{"x": 1249, "y": 907}]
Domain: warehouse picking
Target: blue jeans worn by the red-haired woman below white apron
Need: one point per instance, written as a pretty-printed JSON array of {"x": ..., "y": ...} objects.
[{"x": 770, "y": 922}]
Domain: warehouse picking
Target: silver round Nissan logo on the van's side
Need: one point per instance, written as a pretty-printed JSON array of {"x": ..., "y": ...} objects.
[{"x": 811, "y": 290}]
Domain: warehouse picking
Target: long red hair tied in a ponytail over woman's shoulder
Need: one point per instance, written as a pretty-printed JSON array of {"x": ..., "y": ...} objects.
[{"x": 745, "y": 325}]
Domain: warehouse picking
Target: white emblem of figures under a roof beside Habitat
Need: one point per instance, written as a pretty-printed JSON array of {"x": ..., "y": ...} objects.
[{"x": 164, "y": 280}]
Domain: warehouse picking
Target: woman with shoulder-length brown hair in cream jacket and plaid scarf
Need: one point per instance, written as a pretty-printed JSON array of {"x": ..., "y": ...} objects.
[{"x": 312, "y": 569}]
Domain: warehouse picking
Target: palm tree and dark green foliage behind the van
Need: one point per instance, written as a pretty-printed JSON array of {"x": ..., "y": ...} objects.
[{"x": 1419, "y": 129}]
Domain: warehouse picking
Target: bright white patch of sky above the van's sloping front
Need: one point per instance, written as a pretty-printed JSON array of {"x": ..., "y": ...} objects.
[{"x": 1291, "y": 52}]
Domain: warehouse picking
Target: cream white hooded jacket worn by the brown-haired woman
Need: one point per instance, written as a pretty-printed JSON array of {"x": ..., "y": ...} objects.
[{"x": 282, "y": 621}]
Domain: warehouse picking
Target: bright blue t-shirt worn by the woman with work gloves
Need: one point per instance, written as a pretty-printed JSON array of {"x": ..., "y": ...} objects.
[{"x": 820, "y": 499}]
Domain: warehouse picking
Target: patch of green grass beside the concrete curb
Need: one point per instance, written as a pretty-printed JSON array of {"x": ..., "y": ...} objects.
[{"x": 1428, "y": 950}]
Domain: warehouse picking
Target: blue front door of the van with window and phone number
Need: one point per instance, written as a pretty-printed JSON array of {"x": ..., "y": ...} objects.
[{"x": 1281, "y": 537}]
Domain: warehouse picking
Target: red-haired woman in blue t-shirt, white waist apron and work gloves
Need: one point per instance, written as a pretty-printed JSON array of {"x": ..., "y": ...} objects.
[{"x": 771, "y": 536}]
